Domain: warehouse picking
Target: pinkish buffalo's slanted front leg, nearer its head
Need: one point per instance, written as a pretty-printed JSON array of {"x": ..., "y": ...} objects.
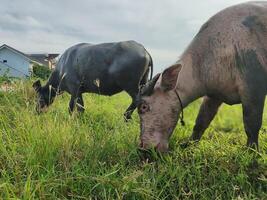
[{"x": 208, "y": 110}]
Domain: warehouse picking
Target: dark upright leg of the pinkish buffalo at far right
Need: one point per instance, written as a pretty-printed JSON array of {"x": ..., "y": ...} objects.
[{"x": 252, "y": 117}]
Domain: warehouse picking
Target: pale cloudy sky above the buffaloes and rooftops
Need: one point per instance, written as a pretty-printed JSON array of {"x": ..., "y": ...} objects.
[{"x": 164, "y": 27}]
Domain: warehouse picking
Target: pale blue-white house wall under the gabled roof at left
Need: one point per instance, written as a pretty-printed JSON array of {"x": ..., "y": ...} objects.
[{"x": 19, "y": 65}]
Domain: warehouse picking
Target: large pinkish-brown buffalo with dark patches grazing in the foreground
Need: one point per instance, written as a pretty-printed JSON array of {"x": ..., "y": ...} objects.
[{"x": 225, "y": 63}]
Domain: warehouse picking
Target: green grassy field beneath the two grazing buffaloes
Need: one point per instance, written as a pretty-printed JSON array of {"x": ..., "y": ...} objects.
[{"x": 94, "y": 156}]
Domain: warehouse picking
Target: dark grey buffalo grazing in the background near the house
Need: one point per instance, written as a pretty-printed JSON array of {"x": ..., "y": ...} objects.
[{"x": 106, "y": 69}]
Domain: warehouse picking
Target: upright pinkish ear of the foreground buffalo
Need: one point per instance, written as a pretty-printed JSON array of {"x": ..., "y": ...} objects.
[{"x": 169, "y": 77}]
